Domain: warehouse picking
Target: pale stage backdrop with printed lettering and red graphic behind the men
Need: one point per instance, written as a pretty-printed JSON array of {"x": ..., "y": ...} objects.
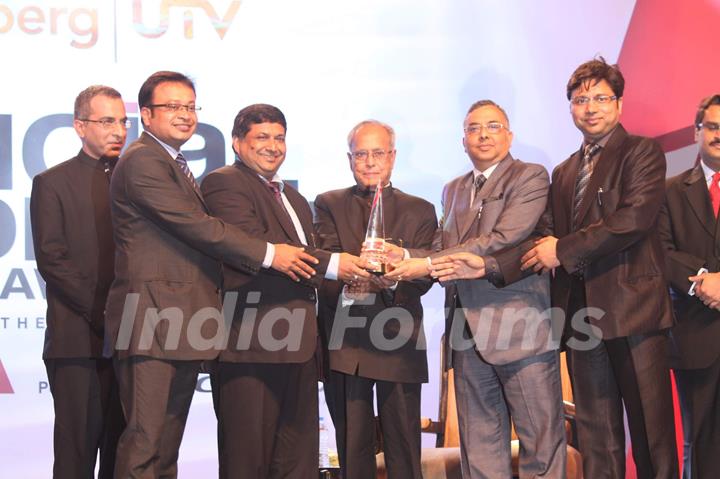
[{"x": 415, "y": 64}]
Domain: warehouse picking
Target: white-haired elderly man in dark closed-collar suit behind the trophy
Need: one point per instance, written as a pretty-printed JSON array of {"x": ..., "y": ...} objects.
[{"x": 392, "y": 358}]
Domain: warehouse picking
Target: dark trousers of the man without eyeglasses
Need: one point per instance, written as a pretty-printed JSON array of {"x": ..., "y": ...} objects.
[{"x": 268, "y": 420}]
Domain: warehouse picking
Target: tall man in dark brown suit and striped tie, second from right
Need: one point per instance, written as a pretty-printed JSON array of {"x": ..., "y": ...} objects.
[{"x": 601, "y": 240}]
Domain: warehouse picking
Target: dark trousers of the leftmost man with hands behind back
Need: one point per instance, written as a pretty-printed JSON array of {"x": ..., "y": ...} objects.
[{"x": 88, "y": 416}]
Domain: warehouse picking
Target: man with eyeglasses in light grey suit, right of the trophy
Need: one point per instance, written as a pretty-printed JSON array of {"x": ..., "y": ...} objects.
[{"x": 499, "y": 342}]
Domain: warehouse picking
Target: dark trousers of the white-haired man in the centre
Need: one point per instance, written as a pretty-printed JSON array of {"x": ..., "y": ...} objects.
[{"x": 350, "y": 400}]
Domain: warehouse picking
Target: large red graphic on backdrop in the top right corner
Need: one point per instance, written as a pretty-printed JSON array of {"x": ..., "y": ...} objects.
[{"x": 668, "y": 58}]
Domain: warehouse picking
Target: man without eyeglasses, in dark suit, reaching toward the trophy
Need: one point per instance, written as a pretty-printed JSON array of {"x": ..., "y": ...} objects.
[{"x": 267, "y": 377}]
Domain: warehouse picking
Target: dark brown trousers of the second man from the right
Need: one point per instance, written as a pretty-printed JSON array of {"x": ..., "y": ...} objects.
[{"x": 632, "y": 371}]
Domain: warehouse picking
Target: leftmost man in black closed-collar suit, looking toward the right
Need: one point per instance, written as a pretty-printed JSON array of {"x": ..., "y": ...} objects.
[{"x": 72, "y": 235}]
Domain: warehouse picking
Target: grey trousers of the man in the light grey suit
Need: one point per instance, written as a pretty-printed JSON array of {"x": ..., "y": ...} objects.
[{"x": 488, "y": 396}]
